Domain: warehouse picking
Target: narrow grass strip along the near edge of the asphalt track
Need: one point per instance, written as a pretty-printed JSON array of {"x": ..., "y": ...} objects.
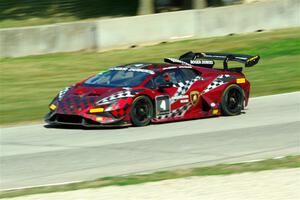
[{"x": 222, "y": 169}]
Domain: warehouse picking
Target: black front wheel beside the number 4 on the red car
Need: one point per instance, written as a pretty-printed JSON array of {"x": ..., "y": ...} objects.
[{"x": 141, "y": 111}]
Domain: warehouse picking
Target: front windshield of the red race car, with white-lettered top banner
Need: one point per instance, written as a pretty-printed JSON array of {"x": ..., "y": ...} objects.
[{"x": 119, "y": 77}]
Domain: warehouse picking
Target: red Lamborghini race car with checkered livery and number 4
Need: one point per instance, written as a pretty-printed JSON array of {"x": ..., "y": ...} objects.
[{"x": 142, "y": 93}]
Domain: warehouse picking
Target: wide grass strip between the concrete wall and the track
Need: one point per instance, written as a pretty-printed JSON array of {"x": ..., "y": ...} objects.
[{"x": 28, "y": 84}]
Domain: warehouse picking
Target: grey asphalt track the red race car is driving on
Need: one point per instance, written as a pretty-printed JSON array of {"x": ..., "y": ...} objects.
[{"x": 34, "y": 155}]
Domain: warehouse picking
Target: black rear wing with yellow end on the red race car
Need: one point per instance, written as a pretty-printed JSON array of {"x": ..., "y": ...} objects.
[{"x": 248, "y": 60}]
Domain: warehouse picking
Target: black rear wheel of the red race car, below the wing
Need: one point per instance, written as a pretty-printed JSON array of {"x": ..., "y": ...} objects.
[{"x": 232, "y": 100}]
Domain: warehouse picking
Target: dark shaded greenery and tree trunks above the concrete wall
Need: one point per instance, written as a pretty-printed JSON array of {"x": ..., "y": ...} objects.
[{"x": 36, "y": 12}]
